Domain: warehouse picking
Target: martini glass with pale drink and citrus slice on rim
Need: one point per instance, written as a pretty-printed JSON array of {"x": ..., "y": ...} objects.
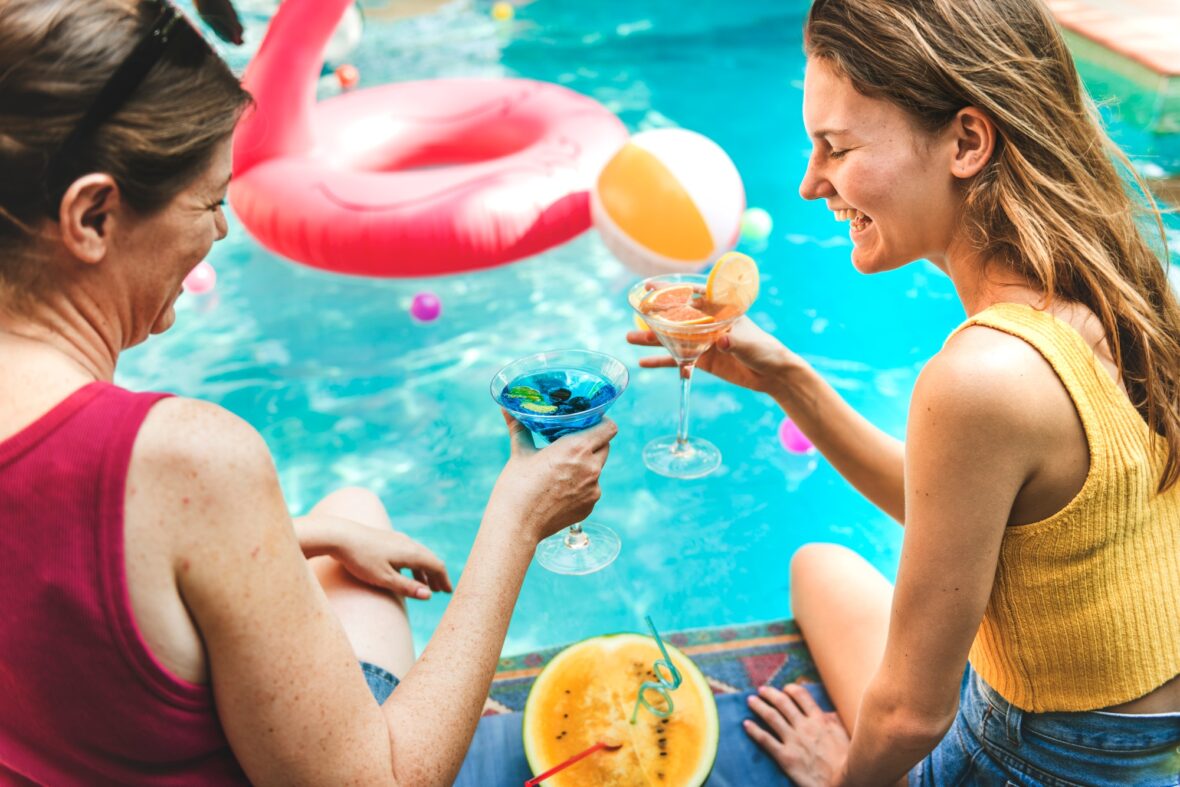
[{"x": 680, "y": 456}]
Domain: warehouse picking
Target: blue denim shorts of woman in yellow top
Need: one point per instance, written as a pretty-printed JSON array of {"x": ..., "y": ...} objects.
[{"x": 994, "y": 743}]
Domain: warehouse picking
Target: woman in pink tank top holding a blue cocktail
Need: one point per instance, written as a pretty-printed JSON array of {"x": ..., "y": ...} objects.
[{"x": 159, "y": 619}]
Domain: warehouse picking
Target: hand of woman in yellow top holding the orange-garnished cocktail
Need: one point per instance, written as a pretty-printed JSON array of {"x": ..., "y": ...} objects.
[{"x": 746, "y": 357}]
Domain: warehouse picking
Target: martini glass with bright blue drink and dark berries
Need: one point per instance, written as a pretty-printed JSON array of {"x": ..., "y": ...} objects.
[{"x": 558, "y": 393}]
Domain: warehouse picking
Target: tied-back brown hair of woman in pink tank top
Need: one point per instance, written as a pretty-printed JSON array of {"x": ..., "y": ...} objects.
[{"x": 55, "y": 58}]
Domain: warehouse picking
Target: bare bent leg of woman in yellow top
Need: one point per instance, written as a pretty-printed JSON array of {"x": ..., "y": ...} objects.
[{"x": 842, "y": 605}]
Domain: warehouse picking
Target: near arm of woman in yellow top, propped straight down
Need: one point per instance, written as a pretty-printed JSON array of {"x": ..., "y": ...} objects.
[{"x": 972, "y": 448}]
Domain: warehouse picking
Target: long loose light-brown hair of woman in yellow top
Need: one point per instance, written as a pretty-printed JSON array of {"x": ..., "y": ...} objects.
[{"x": 1052, "y": 204}]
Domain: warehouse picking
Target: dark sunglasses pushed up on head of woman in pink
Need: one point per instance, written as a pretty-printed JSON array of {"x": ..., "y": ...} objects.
[{"x": 169, "y": 34}]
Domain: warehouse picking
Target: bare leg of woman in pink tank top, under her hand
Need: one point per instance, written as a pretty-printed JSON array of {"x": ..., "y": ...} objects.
[{"x": 375, "y": 620}]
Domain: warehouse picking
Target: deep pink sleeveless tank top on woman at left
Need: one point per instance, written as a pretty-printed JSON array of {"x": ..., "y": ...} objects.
[{"x": 83, "y": 701}]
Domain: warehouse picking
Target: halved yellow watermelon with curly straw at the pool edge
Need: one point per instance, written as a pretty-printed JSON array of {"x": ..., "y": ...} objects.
[{"x": 587, "y": 694}]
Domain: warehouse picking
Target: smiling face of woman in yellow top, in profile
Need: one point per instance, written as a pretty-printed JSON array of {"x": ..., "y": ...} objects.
[{"x": 879, "y": 170}]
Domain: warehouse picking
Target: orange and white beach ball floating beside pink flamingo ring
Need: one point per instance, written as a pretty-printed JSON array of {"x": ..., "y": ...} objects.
[{"x": 670, "y": 202}]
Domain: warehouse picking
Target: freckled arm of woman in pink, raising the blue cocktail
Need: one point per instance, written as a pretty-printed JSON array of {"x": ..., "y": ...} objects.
[{"x": 289, "y": 690}]
